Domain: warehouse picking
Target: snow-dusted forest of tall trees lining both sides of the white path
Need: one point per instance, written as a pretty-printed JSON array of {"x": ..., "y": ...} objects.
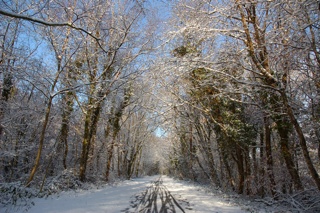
[{"x": 222, "y": 92}]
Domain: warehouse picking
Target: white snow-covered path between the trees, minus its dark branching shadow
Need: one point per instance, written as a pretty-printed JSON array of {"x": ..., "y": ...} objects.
[{"x": 123, "y": 198}]
